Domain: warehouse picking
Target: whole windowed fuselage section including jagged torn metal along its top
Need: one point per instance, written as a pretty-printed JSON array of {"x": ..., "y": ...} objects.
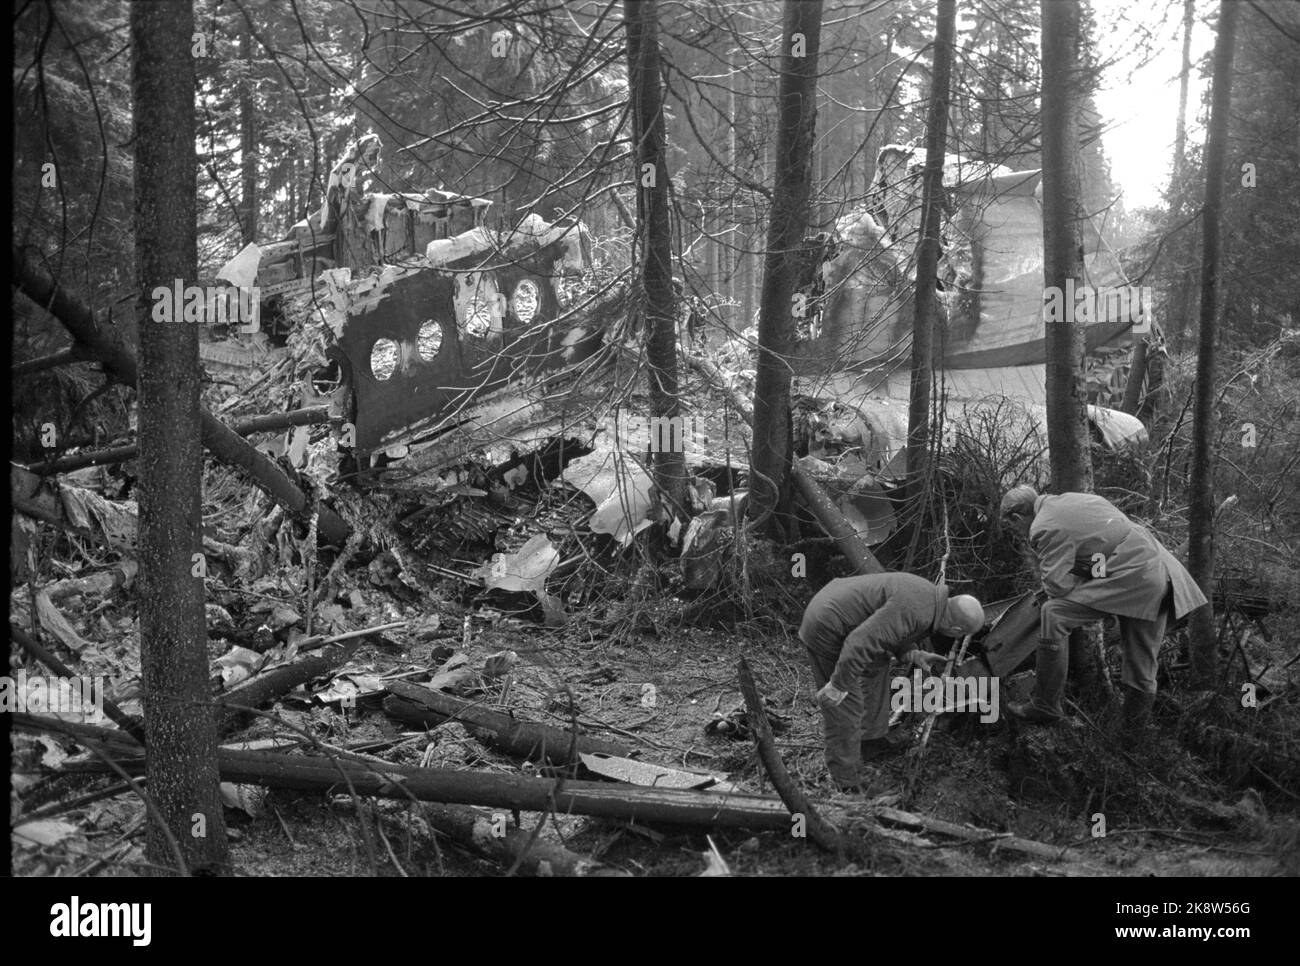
[{"x": 437, "y": 323}]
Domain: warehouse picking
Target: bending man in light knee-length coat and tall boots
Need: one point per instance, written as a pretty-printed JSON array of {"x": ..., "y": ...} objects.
[{"x": 1094, "y": 561}]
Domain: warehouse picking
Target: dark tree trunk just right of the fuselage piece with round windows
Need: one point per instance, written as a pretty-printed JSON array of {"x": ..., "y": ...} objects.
[{"x": 655, "y": 231}]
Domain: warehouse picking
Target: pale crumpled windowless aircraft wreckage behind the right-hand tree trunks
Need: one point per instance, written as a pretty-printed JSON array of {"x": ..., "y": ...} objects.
[{"x": 856, "y": 352}]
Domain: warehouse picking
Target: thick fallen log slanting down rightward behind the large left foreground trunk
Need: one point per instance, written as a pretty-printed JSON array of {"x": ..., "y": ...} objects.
[{"x": 106, "y": 344}]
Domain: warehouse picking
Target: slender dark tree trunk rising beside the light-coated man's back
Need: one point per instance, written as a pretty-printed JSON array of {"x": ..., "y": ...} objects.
[{"x": 1201, "y": 530}]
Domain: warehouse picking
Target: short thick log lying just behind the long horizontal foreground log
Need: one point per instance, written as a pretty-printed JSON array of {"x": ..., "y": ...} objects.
[{"x": 510, "y": 735}]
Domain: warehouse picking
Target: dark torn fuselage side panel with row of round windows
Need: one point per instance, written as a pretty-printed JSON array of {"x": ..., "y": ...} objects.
[{"x": 431, "y": 349}]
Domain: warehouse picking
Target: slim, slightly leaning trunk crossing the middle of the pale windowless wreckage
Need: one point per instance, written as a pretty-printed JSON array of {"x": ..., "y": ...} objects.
[{"x": 928, "y": 257}]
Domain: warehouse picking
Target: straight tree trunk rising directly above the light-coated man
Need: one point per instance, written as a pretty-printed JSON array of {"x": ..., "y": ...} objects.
[{"x": 1063, "y": 246}]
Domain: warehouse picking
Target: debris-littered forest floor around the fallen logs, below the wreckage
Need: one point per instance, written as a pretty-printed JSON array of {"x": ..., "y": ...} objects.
[{"x": 648, "y": 665}]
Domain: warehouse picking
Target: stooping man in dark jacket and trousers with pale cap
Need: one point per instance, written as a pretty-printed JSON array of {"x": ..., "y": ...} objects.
[{"x": 853, "y": 629}]
